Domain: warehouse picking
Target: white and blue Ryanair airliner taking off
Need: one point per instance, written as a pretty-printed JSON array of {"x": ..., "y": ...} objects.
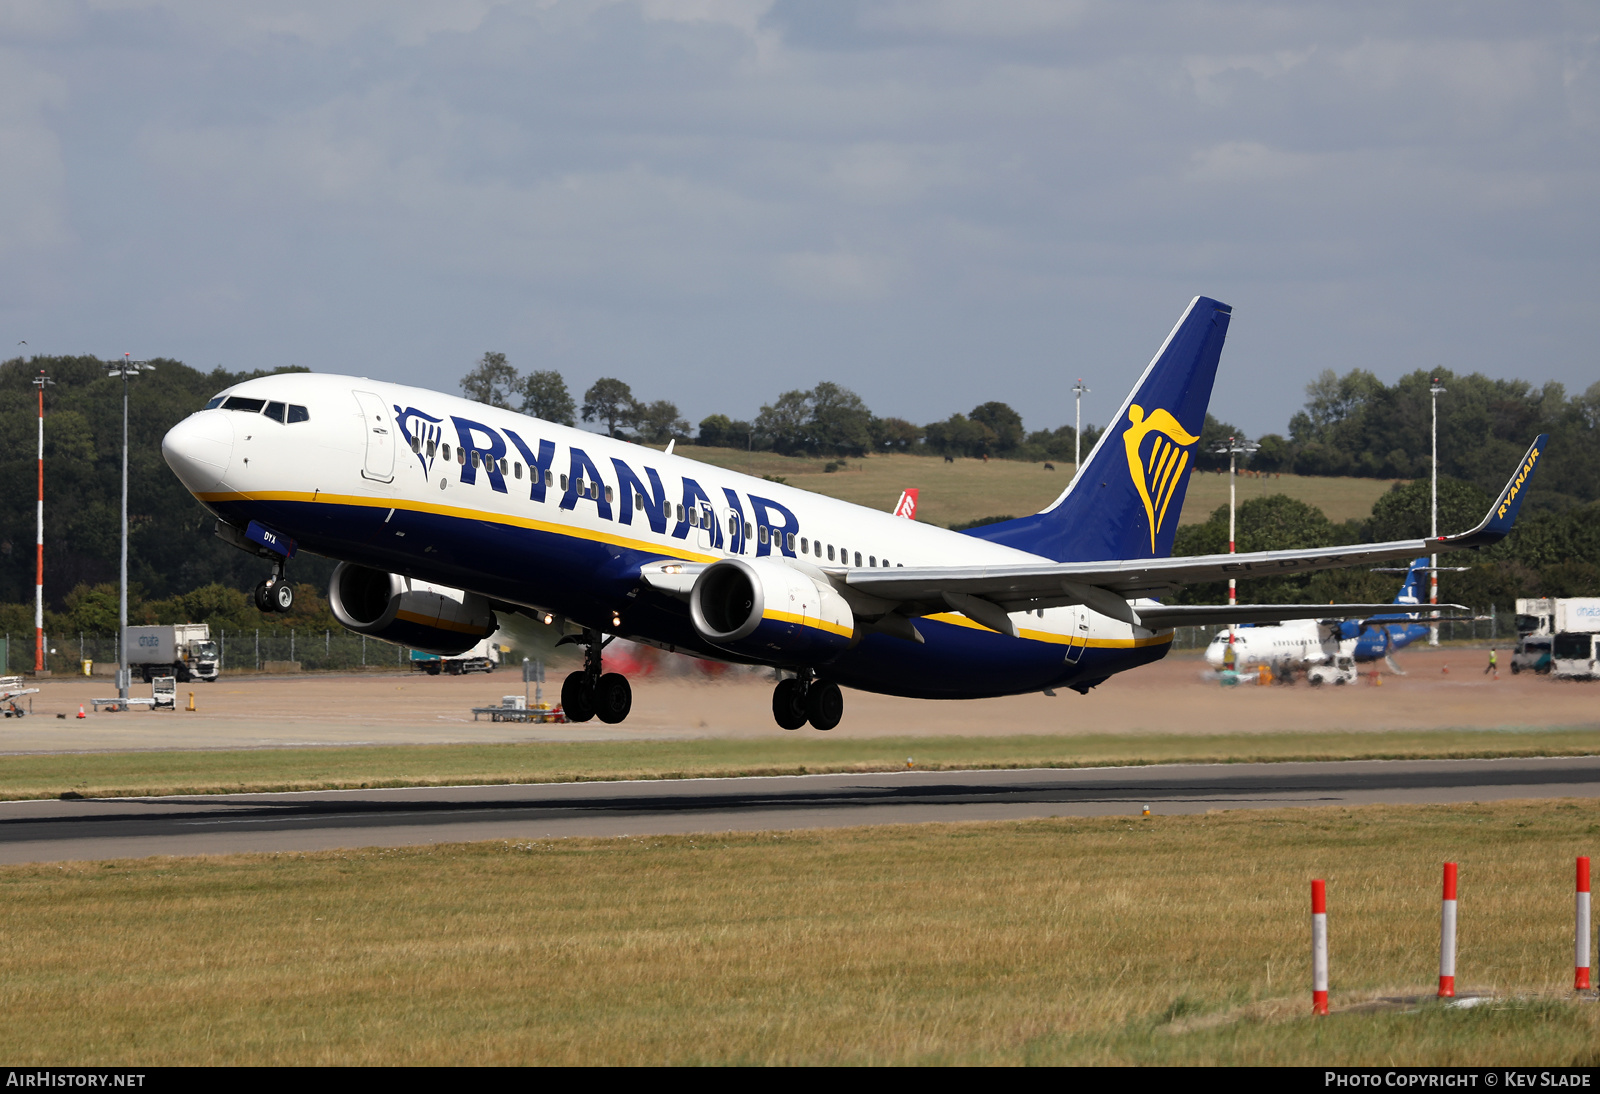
[{"x": 446, "y": 514}]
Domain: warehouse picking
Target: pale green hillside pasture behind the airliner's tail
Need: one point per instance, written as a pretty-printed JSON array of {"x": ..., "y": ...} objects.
[{"x": 970, "y": 489}]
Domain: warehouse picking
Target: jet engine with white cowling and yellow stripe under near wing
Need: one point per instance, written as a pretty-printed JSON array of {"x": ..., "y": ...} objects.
[{"x": 769, "y": 612}]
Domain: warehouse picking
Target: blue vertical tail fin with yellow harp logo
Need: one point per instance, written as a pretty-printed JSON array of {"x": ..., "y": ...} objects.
[{"x": 1127, "y": 498}]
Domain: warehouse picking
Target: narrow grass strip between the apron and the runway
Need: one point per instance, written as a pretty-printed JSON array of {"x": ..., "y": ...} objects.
[{"x": 335, "y": 769}]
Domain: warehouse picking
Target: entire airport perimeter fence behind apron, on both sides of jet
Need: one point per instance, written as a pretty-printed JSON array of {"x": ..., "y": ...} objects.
[{"x": 276, "y": 649}]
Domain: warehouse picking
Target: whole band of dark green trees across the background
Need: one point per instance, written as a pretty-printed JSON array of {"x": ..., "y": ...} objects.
[{"x": 1484, "y": 428}]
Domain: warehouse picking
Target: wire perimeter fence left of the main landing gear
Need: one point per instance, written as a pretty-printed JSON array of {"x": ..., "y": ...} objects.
[{"x": 263, "y": 650}]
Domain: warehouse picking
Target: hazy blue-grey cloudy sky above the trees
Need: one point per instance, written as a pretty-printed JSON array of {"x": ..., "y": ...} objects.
[{"x": 934, "y": 204}]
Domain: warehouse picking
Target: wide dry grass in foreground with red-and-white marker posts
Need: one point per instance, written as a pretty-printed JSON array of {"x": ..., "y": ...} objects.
[{"x": 1103, "y": 941}]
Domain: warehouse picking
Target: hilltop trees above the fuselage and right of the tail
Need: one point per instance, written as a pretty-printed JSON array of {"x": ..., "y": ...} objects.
[{"x": 1351, "y": 425}]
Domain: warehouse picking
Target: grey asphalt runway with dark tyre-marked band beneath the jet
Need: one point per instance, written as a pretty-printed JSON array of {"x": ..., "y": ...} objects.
[{"x": 220, "y": 824}]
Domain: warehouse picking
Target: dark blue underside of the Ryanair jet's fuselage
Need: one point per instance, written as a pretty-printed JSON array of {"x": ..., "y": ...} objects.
[{"x": 586, "y": 581}]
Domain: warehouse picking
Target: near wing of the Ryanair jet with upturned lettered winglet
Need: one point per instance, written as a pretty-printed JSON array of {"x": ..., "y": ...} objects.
[{"x": 1108, "y": 586}]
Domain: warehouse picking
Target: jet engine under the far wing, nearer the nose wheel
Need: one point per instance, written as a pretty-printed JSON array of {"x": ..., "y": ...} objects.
[{"x": 409, "y": 613}]
